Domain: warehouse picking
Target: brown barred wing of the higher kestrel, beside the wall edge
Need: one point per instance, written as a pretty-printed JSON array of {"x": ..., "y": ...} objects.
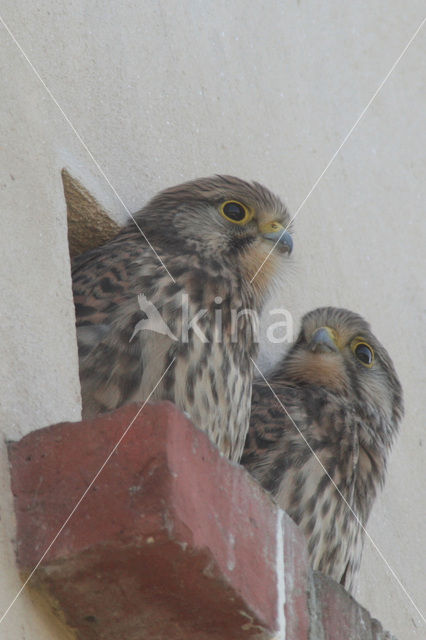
[{"x": 106, "y": 284}]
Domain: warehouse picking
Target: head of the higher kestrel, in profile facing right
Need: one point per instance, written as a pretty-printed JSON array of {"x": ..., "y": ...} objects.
[{"x": 222, "y": 219}]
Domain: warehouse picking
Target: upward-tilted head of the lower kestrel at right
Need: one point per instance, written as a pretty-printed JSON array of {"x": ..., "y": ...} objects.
[{"x": 336, "y": 349}]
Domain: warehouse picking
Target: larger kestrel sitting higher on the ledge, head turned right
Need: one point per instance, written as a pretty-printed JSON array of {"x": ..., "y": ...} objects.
[{"x": 188, "y": 308}]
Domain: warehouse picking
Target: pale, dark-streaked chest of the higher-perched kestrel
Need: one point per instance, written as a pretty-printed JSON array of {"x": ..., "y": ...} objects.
[{"x": 213, "y": 376}]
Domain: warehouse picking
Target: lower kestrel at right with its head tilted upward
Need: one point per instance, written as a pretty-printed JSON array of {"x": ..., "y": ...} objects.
[{"x": 325, "y": 459}]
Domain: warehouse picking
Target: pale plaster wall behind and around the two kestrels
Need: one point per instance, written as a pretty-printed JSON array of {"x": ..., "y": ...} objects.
[{"x": 165, "y": 91}]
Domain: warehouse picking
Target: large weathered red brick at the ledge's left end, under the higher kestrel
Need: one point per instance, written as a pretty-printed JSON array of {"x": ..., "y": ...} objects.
[{"x": 172, "y": 540}]
